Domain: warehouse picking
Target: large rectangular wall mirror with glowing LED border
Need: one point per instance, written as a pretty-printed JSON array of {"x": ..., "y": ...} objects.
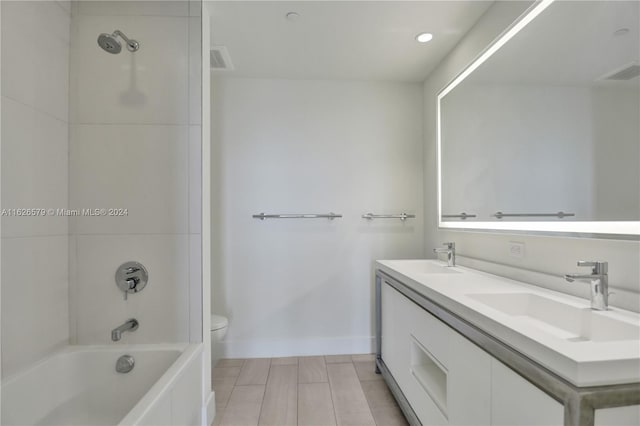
[{"x": 542, "y": 131}]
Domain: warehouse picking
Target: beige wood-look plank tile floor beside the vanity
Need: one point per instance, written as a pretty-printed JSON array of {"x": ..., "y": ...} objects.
[{"x": 317, "y": 390}]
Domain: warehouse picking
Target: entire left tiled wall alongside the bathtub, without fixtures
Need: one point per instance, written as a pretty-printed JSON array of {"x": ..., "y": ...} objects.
[{"x": 35, "y": 105}]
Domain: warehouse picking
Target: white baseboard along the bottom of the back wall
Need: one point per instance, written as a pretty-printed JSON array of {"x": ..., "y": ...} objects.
[{"x": 268, "y": 348}]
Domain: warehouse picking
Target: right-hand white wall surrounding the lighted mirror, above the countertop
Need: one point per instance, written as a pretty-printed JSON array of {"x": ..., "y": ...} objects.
[{"x": 551, "y": 255}]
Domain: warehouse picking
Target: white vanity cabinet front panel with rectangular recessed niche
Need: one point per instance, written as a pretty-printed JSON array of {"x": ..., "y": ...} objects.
[{"x": 444, "y": 377}]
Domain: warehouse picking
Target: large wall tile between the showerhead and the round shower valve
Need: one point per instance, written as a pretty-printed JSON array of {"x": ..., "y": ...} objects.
[{"x": 140, "y": 168}]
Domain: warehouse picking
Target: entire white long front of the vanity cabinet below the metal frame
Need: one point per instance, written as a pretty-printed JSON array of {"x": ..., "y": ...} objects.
[{"x": 448, "y": 380}]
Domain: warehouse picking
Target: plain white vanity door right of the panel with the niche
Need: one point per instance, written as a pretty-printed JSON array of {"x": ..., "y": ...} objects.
[{"x": 516, "y": 402}]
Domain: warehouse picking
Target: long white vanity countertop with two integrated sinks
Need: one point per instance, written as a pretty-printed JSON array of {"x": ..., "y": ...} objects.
[{"x": 610, "y": 354}]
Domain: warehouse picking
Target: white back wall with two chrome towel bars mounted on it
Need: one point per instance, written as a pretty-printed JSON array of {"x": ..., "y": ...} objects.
[{"x": 294, "y": 287}]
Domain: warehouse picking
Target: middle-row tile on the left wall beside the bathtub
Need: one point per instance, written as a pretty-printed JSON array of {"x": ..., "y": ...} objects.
[{"x": 34, "y": 169}]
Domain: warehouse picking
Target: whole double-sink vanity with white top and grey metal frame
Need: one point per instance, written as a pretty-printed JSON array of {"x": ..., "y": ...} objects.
[{"x": 459, "y": 346}]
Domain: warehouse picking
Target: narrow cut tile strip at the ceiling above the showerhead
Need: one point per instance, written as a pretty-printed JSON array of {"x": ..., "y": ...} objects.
[{"x": 137, "y": 8}]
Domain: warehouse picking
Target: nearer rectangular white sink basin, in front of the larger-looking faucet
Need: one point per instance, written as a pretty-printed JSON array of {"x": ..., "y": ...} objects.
[{"x": 562, "y": 320}]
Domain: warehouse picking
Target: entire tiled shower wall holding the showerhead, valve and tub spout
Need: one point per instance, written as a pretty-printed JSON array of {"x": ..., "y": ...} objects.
[{"x": 135, "y": 144}]
